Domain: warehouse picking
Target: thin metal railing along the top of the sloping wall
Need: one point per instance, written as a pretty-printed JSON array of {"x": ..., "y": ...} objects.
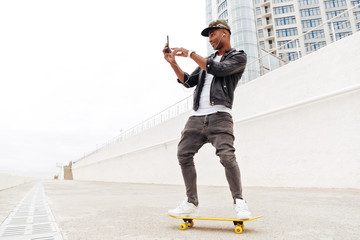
[{"x": 186, "y": 104}]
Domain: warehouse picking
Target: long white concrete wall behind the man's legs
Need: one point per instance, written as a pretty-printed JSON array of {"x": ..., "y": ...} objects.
[{"x": 298, "y": 126}]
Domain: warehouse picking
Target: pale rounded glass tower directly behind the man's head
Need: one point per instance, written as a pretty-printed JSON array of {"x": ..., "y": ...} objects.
[{"x": 240, "y": 16}]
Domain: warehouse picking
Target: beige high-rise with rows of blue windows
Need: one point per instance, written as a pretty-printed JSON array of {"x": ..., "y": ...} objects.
[{"x": 279, "y": 21}]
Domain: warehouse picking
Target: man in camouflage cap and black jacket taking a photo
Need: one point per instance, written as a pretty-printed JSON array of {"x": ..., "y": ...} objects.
[{"x": 215, "y": 79}]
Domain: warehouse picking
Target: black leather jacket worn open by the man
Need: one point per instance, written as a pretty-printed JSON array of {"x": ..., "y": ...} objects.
[{"x": 227, "y": 74}]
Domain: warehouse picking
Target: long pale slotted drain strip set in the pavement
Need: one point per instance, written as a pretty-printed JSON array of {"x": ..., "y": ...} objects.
[{"x": 31, "y": 219}]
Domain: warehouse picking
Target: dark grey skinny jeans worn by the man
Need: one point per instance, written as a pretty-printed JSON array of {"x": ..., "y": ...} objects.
[{"x": 217, "y": 129}]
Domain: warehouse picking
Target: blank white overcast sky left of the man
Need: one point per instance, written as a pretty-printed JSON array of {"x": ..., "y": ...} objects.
[{"x": 74, "y": 73}]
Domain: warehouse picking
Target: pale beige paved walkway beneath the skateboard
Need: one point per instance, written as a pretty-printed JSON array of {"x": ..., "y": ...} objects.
[{"x": 96, "y": 210}]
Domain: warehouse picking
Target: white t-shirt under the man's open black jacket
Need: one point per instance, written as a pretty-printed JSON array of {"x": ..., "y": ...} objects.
[{"x": 205, "y": 107}]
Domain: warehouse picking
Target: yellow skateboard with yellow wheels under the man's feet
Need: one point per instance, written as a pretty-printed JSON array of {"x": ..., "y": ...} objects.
[{"x": 239, "y": 223}]
